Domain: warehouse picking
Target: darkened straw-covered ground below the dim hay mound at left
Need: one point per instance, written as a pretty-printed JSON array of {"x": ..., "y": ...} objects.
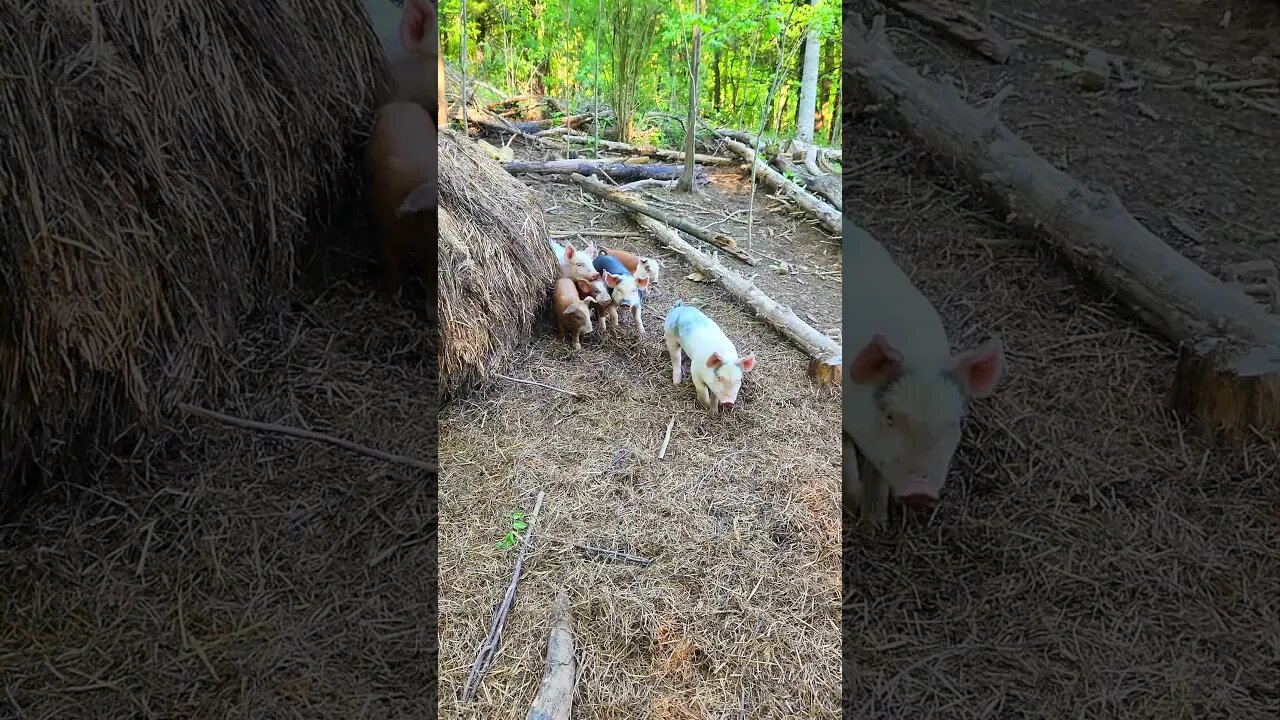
[{"x": 221, "y": 573}]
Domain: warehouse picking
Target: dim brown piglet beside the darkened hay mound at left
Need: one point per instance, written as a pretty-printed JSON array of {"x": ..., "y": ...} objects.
[{"x": 401, "y": 167}]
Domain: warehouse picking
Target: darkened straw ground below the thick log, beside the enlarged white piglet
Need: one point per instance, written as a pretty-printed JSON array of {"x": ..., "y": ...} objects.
[{"x": 1090, "y": 558}]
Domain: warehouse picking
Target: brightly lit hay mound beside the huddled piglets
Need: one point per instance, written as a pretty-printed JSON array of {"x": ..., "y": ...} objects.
[{"x": 496, "y": 266}]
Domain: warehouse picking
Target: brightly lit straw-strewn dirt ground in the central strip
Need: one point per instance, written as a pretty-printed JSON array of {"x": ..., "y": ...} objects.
[{"x": 738, "y": 614}]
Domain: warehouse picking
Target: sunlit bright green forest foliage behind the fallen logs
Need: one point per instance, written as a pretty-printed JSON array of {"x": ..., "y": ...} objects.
[{"x": 643, "y": 57}]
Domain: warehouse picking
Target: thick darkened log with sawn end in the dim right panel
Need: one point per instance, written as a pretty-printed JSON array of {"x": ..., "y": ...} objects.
[{"x": 1228, "y": 376}]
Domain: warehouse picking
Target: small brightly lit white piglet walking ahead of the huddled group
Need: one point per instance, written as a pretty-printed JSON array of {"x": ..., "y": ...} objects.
[{"x": 714, "y": 362}]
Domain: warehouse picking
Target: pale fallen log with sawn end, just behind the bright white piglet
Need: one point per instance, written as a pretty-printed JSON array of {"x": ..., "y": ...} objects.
[{"x": 825, "y": 353}]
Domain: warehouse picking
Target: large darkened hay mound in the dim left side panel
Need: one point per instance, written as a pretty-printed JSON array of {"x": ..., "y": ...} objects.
[{"x": 159, "y": 167}]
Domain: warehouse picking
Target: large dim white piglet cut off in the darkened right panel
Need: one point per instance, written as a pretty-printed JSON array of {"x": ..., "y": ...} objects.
[{"x": 904, "y": 394}]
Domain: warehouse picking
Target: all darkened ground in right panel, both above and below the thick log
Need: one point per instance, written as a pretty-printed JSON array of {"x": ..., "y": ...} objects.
[{"x": 1091, "y": 558}]
